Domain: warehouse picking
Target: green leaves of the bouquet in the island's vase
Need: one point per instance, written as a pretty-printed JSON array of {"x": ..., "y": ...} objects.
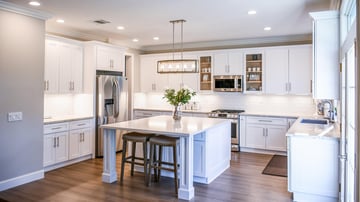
[{"x": 180, "y": 97}]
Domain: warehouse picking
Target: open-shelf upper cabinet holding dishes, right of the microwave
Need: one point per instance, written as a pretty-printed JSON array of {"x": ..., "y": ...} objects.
[{"x": 253, "y": 71}]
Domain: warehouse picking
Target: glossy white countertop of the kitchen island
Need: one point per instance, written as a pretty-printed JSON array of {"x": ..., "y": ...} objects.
[{"x": 167, "y": 125}]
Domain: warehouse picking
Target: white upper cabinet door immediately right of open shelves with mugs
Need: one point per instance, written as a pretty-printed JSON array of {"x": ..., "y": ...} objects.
[{"x": 276, "y": 67}]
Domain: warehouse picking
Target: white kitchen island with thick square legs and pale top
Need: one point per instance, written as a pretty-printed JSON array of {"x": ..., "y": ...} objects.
[{"x": 216, "y": 148}]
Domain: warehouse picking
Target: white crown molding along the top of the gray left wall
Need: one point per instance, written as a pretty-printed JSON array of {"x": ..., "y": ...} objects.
[{"x": 24, "y": 11}]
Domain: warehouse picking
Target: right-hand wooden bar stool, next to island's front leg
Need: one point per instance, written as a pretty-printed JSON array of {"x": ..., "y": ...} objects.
[{"x": 162, "y": 141}]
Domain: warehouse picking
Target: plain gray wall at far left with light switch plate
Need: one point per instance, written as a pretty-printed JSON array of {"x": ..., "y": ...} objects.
[{"x": 21, "y": 88}]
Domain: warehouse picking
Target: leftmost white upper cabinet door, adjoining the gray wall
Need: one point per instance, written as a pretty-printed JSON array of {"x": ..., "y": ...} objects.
[{"x": 51, "y": 80}]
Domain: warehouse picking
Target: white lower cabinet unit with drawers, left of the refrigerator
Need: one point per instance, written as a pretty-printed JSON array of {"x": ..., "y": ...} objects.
[{"x": 67, "y": 142}]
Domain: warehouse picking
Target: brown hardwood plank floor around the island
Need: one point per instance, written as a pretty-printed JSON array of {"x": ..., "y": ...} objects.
[{"x": 243, "y": 181}]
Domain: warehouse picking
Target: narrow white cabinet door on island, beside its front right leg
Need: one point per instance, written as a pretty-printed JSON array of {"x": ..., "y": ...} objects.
[{"x": 199, "y": 158}]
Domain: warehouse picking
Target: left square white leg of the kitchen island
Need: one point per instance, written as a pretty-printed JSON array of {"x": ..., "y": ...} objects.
[{"x": 109, "y": 162}]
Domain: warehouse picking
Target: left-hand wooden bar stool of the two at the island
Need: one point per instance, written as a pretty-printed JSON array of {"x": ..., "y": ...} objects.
[{"x": 134, "y": 138}]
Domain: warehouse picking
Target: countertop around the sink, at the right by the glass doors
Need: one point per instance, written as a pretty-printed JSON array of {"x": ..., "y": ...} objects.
[{"x": 331, "y": 130}]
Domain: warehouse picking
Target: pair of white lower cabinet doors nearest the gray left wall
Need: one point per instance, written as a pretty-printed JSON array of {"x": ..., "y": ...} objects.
[{"x": 55, "y": 148}]
